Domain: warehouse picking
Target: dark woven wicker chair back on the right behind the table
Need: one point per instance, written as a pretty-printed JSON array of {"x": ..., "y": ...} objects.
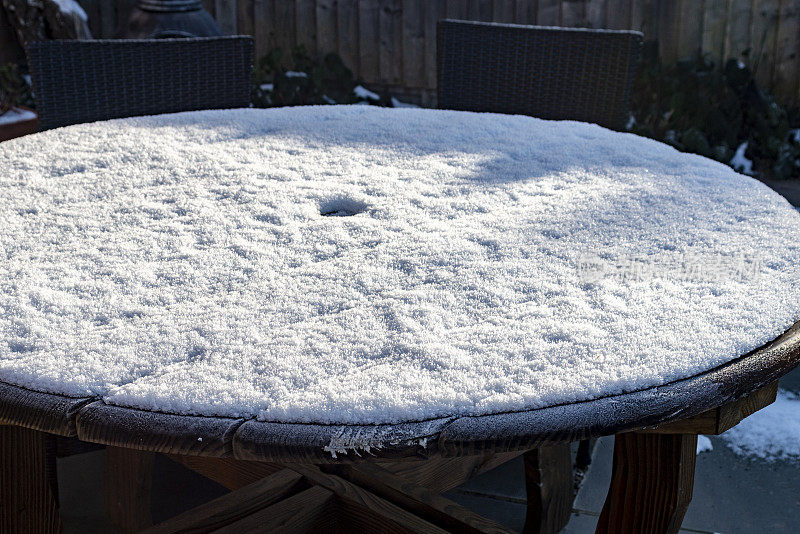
[{"x": 550, "y": 73}]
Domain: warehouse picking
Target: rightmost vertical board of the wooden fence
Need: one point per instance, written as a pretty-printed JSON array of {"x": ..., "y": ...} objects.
[{"x": 785, "y": 74}]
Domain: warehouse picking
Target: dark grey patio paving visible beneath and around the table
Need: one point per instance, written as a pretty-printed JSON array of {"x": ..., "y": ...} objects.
[{"x": 732, "y": 494}]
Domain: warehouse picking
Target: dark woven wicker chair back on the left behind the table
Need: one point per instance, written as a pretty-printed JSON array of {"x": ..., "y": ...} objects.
[{"x": 85, "y": 81}]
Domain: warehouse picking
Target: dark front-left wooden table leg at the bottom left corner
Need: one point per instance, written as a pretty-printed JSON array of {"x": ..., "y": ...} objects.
[{"x": 27, "y": 503}]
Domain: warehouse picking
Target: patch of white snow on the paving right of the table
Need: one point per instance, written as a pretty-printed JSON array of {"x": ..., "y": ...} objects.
[{"x": 772, "y": 433}]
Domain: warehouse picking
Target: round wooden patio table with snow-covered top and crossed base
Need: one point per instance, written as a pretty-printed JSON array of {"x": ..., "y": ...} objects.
[{"x": 342, "y": 311}]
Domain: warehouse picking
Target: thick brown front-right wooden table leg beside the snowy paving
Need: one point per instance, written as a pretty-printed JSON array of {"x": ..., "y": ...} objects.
[{"x": 651, "y": 483}]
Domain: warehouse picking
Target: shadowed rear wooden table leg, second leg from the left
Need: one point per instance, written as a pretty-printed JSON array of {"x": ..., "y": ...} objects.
[{"x": 127, "y": 481}]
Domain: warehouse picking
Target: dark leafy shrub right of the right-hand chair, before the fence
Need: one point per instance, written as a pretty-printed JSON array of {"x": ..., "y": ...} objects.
[{"x": 701, "y": 109}]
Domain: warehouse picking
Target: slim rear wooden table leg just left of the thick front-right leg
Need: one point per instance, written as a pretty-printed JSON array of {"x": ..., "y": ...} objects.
[{"x": 548, "y": 482}]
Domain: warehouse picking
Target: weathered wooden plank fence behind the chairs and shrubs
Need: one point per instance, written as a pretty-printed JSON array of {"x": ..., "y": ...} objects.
[{"x": 393, "y": 42}]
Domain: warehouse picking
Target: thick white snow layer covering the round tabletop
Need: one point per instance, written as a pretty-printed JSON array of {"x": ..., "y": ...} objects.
[{"x": 181, "y": 263}]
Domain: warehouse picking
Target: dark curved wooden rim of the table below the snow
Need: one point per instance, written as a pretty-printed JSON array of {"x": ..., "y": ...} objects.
[{"x": 95, "y": 421}]
